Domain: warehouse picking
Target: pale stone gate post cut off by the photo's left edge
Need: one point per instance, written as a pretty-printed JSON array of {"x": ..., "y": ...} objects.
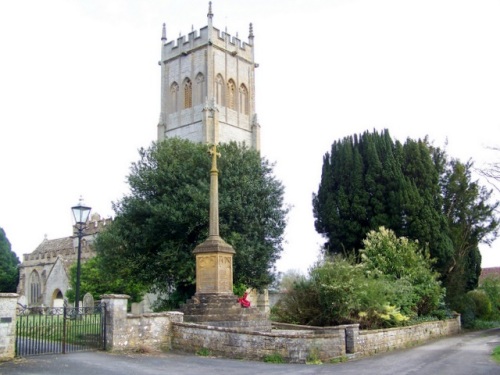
[{"x": 8, "y": 304}]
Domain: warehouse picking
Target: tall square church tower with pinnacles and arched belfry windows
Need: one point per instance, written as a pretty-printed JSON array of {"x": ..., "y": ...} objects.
[{"x": 208, "y": 87}]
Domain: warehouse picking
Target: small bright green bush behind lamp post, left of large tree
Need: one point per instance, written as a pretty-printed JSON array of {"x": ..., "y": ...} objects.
[{"x": 95, "y": 280}]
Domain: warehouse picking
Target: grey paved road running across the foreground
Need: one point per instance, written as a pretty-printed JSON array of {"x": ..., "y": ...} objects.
[{"x": 467, "y": 354}]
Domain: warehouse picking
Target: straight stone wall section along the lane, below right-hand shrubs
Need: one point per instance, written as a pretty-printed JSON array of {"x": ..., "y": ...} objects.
[{"x": 383, "y": 340}]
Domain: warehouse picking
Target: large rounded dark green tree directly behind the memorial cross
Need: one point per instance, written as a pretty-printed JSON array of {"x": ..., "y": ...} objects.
[{"x": 158, "y": 225}]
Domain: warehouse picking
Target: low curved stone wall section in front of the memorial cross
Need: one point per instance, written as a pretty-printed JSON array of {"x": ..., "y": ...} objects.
[{"x": 294, "y": 346}]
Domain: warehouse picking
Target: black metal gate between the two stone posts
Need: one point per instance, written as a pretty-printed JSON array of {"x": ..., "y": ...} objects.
[{"x": 42, "y": 330}]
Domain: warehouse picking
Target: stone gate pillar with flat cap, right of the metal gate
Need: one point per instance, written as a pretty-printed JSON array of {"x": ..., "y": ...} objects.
[{"x": 116, "y": 321}]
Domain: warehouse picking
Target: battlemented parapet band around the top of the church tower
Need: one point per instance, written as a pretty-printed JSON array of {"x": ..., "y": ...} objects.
[{"x": 205, "y": 36}]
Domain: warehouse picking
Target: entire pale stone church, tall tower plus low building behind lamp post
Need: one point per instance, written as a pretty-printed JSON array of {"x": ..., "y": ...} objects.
[{"x": 207, "y": 96}]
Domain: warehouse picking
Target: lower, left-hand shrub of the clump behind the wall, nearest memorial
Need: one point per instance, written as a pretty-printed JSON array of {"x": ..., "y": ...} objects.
[{"x": 338, "y": 292}]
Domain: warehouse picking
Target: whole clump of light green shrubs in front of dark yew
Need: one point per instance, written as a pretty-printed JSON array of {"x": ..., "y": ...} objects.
[{"x": 393, "y": 284}]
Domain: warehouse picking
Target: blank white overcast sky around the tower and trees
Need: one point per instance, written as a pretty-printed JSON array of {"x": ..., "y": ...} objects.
[{"x": 80, "y": 94}]
